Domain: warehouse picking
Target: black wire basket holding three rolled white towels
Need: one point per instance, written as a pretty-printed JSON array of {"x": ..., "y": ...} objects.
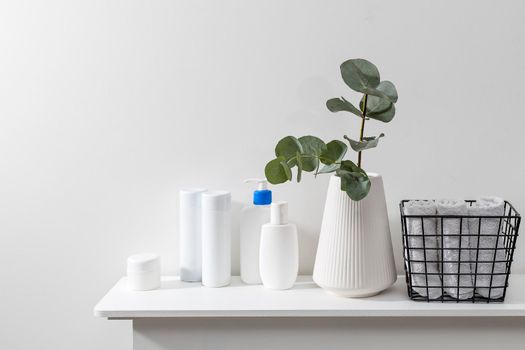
[{"x": 459, "y": 258}]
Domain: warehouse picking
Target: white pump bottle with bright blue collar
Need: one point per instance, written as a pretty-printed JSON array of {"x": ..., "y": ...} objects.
[{"x": 252, "y": 219}]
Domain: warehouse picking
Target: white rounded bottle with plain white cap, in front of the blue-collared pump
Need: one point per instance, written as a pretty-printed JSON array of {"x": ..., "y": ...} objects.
[{"x": 279, "y": 254}]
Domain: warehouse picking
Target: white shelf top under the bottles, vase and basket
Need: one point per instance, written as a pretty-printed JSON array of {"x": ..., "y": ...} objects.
[{"x": 180, "y": 299}]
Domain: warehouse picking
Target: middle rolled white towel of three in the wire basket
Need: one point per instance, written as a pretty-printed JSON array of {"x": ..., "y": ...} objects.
[{"x": 455, "y": 235}]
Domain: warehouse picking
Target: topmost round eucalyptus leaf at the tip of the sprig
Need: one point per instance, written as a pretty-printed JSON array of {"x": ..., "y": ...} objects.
[{"x": 360, "y": 74}]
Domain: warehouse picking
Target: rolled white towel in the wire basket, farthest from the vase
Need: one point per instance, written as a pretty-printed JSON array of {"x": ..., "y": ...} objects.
[{"x": 488, "y": 206}]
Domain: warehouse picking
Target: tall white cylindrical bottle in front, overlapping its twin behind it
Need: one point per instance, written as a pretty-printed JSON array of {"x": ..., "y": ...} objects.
[{"x": 216, "y": 238}]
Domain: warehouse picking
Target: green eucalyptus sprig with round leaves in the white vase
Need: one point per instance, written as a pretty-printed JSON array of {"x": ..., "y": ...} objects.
[{"x": 311, "y": 154}]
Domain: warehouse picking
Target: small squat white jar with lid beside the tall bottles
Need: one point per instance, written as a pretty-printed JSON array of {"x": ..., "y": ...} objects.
[{"x": 143, "y": 271}]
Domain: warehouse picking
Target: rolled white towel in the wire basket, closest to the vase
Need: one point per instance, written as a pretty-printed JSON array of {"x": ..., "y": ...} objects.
[{"x": 416, "y": 228}]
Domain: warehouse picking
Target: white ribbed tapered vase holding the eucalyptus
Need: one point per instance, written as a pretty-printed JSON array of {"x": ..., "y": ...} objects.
[{"x": 354, "y": 255}]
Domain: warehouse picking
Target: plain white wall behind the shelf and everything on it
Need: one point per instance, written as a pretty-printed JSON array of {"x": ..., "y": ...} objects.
[{"x": 107, "y": 108}]
